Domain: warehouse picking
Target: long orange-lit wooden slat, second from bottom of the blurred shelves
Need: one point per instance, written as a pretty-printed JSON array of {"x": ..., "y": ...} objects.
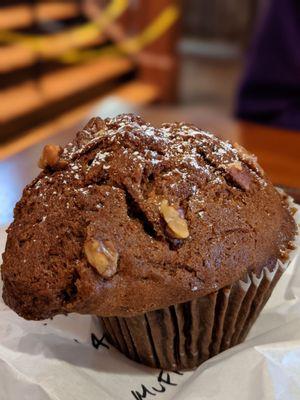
[{"x": 55, "y": 86}]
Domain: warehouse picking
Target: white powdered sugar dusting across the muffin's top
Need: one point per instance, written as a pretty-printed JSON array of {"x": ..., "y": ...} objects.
[{"x": 177, "y": 153}]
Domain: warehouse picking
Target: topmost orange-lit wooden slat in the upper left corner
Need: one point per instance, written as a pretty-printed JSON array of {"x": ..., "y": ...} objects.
[{"x": 22, "y": 16}]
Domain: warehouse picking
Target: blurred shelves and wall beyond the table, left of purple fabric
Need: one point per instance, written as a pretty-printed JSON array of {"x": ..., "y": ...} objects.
[{"x": 61, "y": 61}]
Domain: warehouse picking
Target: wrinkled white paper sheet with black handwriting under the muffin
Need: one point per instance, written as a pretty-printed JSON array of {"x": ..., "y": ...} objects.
[{"x": 68, "y": 358}]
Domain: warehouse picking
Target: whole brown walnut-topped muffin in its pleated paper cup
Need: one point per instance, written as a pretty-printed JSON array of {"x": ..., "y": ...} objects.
[{"x": 172, "y": 237}]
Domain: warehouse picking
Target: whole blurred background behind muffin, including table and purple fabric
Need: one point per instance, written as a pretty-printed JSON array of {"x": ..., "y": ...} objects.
[{"x": 229, "y": 66}]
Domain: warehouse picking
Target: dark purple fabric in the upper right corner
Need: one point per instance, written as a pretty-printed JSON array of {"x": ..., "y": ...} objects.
[{"x": 270, "y": 89}]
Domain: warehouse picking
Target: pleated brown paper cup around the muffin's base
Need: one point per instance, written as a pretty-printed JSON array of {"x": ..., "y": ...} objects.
[{"x": 184, "y": 335}]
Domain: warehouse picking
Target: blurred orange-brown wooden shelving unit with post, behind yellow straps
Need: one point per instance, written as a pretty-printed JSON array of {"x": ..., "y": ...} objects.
[{"x": 37, "y": 87}]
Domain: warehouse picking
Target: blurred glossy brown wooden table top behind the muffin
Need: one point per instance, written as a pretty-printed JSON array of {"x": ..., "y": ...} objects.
[{"x": 278, "y": 150}]
